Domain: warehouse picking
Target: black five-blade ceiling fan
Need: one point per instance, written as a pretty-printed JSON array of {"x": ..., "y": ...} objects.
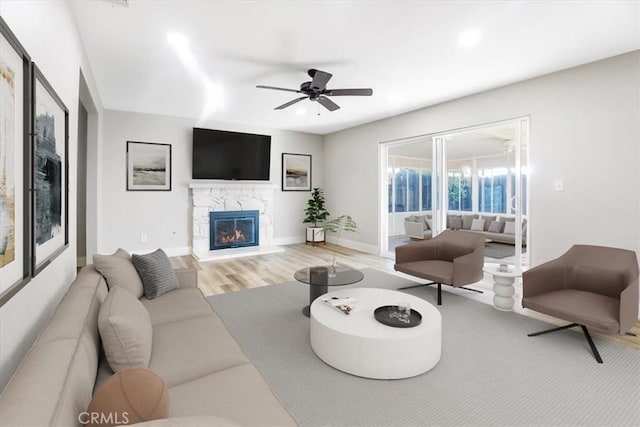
[{"x": 316, "y": 90}]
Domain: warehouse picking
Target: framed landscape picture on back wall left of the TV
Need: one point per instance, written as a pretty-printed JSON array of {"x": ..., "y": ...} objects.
[{"x": 148, "y": 166}]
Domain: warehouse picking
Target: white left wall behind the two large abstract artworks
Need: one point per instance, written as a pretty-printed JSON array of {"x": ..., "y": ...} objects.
[{"x": 48, "y": 33}]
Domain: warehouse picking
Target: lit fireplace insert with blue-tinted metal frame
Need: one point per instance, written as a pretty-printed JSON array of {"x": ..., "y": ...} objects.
[{"x": 233, "y": 229}]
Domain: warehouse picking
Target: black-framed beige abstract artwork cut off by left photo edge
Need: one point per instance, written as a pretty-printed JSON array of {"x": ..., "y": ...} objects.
[{"x": 15, "y": 265}]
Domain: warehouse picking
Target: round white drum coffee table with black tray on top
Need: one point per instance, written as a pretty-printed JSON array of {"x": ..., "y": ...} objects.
[{"x": 360, "y": 345}]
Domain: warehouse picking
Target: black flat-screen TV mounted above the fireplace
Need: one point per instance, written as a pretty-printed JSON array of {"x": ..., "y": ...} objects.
[{"x": 219, "y": 154}]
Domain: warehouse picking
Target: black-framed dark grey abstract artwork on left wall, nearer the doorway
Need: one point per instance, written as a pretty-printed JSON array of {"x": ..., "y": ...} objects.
[{"x": 50, "y": 169}]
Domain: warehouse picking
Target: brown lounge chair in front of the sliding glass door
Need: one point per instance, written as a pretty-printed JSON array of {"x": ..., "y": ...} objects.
[{"x": 452, "y": 258}]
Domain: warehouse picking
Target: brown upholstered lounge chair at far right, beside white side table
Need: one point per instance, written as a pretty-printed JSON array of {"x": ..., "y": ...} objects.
[{"x": 590, "y": 286}]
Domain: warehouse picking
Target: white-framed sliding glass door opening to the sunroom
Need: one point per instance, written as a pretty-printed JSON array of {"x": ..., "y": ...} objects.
[{"x": 448, "y": 180}]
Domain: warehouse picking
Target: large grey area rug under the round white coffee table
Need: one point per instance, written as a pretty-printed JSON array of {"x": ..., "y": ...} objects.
[{"x": 490, "y": 373}]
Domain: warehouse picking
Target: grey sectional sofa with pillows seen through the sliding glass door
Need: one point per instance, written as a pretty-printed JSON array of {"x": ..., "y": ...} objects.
[{"x": 492, "y": 227}]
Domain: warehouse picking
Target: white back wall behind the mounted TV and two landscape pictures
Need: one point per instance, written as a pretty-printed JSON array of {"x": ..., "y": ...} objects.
[{"x": 166, "y": 216}]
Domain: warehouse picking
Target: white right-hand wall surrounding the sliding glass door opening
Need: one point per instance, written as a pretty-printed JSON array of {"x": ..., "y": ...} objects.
[{"x": 584, "y": 129}]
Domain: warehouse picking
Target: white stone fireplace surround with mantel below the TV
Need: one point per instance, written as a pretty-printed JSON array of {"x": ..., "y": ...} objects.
[{"x": 231, "y": 196}]
